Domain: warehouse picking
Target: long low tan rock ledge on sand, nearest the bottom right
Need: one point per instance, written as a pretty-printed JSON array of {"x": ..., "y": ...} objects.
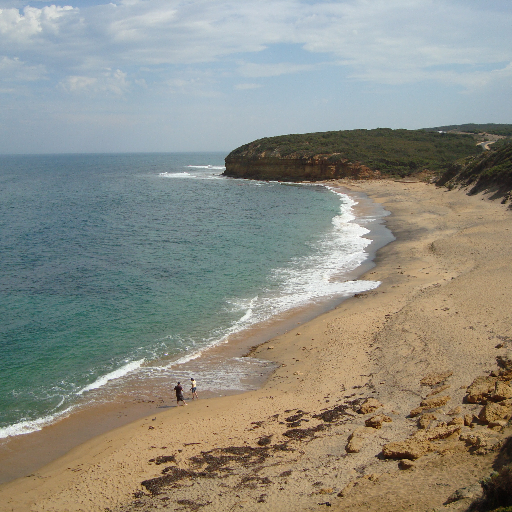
[{"x": 419, "y": 444}]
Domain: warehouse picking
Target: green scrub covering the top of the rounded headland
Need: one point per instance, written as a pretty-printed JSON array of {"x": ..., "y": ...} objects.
[{"x": 390, "y": 152}]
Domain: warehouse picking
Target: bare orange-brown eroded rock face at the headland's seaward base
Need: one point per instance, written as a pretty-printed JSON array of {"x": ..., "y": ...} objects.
[{"x": 295, "y": 168}]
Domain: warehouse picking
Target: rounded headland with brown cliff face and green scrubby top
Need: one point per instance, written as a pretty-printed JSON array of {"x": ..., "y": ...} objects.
[{"x": 356, "y": 154}]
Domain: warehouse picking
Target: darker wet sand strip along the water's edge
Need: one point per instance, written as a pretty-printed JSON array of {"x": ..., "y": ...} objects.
[{"x": 26, "y": 453}]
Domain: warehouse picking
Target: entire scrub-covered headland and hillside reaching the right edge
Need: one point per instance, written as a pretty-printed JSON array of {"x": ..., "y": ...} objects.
[{"x": 478, "y": 156}]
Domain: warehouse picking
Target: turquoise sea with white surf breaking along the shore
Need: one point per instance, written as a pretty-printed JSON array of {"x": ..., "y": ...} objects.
[{"x": 121, "y": 265}]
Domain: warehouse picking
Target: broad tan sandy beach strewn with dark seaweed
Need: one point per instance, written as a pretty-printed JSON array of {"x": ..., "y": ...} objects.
[{"x": 441, "y": 312}]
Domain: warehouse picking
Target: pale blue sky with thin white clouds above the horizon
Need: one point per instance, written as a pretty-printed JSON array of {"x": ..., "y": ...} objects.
[{"x": 80, "y": 76}]
